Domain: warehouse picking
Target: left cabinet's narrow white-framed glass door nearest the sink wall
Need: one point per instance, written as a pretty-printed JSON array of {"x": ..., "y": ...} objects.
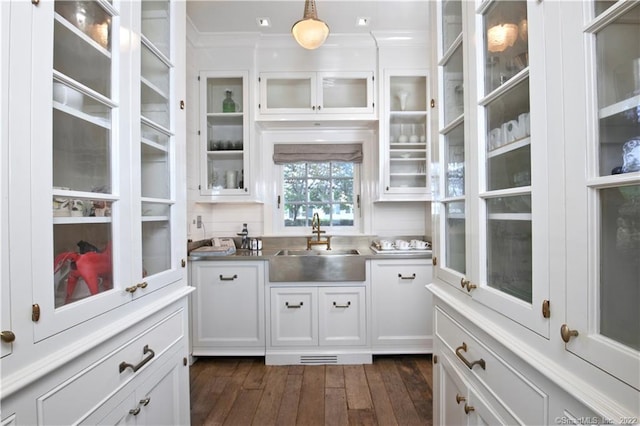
[{"x": 161, "y": 204}]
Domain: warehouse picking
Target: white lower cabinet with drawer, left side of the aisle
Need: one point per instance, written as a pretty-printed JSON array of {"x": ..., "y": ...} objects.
[{"x": 139, "y": 376}]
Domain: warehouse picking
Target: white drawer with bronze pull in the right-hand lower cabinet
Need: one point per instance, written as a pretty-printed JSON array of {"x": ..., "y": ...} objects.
[{"x": 526, "y": 401}]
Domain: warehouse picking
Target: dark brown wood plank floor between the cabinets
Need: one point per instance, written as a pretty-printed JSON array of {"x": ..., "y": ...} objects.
[{"x": 394, "y": 390}]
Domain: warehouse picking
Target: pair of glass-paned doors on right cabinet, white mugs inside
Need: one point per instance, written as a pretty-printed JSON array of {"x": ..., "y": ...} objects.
[{"x": 497, "y": 203}]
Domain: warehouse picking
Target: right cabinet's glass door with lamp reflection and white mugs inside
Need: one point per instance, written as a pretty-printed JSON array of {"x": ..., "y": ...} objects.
[{"x": 509, "y": 278}]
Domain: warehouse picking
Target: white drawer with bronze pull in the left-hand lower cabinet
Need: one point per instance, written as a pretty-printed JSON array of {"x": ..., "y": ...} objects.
[{"x": 82, "y": 393}]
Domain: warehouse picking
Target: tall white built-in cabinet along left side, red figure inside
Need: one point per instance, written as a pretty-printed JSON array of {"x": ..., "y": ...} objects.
[{"x": 92, "y": 213}]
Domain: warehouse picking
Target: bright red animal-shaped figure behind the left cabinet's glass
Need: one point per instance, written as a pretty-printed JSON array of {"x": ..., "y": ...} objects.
[{"x": 90, "y": 266}]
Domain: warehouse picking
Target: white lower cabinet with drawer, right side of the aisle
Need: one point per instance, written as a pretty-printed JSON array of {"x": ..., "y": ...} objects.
[{"x": 478, "y": 382}]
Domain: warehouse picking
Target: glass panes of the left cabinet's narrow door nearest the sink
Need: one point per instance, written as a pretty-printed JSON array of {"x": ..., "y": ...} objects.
[{"x": 157, "y": 147}]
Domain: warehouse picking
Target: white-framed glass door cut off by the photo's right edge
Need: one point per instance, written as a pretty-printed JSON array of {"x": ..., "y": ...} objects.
[{"x": 603, "y": 186}]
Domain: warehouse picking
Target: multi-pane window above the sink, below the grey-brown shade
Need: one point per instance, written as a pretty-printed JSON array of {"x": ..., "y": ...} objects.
[{"x": 327, "y": 188}]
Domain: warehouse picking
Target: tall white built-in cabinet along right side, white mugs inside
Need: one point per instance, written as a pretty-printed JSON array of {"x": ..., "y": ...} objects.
[{"x": 534, "y": 254}]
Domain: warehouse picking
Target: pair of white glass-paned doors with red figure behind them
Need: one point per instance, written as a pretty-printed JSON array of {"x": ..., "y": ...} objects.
[{"x": 88, "y": 168}]
